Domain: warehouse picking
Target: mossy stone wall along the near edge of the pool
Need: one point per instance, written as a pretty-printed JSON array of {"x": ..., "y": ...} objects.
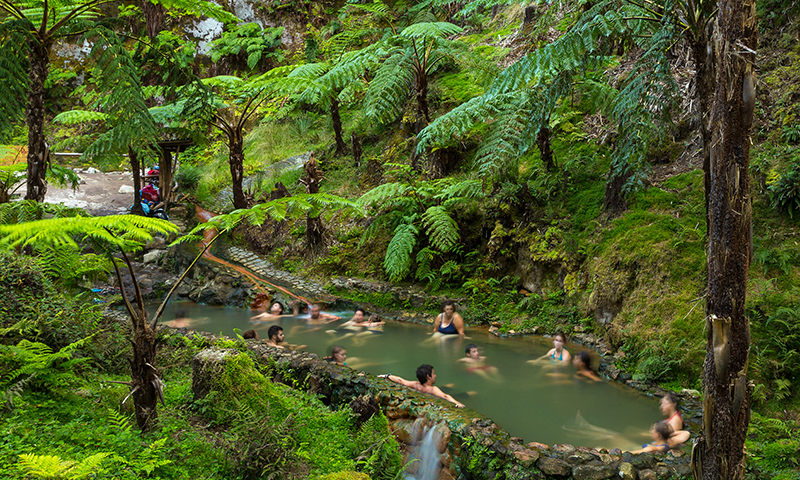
[{"x": 471, "y": 445}]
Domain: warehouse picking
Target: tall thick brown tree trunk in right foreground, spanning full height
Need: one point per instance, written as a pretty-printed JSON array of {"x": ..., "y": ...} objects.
[{"x": 726, "y": 392}]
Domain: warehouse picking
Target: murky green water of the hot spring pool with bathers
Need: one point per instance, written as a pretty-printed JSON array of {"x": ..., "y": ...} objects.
[{"x": 541, "y": 403}]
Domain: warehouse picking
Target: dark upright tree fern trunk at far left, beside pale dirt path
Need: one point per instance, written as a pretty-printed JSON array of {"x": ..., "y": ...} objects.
[{"x": 34, "y": 118}]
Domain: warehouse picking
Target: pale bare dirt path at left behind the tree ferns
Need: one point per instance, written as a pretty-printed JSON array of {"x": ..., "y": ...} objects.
[{"x": 99, "y": 193}]
